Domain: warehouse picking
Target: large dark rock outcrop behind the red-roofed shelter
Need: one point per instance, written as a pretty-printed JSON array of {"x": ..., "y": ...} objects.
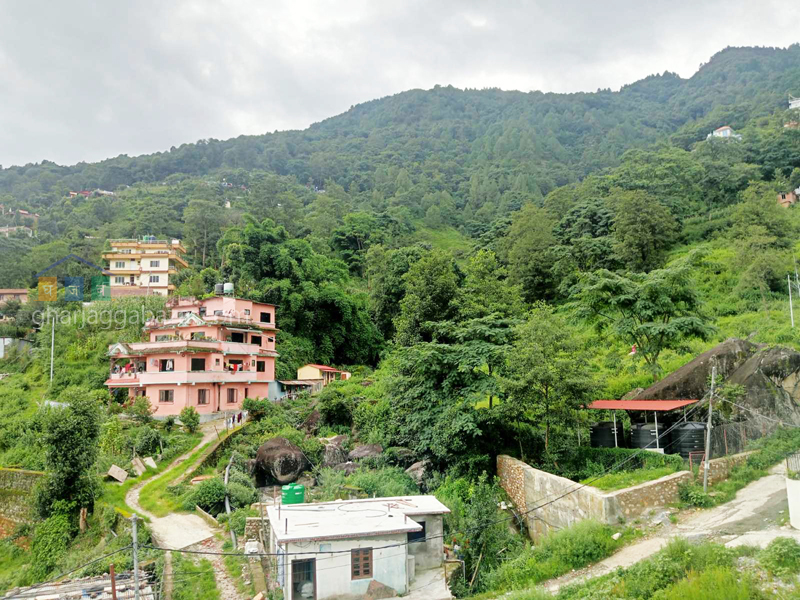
[{"x": 770, "y": 378}]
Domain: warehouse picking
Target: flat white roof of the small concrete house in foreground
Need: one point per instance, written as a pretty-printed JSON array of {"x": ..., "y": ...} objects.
[{"x": 351, "y": 518}]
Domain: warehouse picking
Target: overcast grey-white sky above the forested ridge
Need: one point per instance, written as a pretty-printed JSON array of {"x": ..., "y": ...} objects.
[{"x": 83, "y": 81}]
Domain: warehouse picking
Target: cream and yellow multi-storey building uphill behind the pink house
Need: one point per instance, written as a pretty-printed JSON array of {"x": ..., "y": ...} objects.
[{"x": 144, "y": 266}]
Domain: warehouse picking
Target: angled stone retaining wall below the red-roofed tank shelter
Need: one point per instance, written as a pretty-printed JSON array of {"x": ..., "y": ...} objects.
[{"x": 563, "y": 502}]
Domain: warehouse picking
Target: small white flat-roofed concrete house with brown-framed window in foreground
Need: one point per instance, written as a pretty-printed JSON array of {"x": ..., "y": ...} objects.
[{"x": 389, "y": 540}]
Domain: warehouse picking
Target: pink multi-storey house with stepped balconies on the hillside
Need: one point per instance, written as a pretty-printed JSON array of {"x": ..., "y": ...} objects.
[{"x": 210, "y": 354}]
